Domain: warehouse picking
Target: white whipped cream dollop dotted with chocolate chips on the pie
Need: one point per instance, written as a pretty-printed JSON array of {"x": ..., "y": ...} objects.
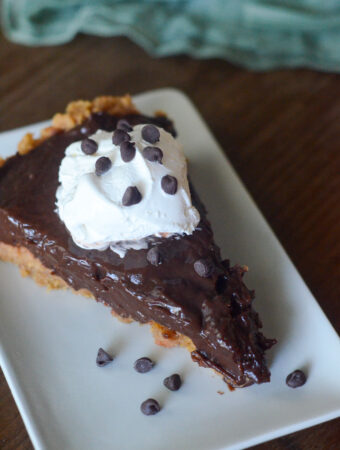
[{"x": 119, "y": 195}]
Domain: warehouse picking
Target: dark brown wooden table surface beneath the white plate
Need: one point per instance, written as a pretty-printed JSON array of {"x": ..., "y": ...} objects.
[{"x": 281, "y": 131}]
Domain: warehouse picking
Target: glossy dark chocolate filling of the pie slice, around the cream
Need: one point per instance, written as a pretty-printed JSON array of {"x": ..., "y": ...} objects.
[{"x": 215, "y": 312}]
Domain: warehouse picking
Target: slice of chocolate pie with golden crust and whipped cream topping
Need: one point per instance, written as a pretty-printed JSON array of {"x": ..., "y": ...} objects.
[{"x": 101, "y": 203}]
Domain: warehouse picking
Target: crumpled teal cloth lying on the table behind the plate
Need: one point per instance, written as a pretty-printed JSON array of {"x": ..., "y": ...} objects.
[{"x": 258, "y": 34}]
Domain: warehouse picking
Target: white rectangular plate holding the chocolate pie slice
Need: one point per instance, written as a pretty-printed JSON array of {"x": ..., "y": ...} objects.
[{"x": 49, "y": 341}]
